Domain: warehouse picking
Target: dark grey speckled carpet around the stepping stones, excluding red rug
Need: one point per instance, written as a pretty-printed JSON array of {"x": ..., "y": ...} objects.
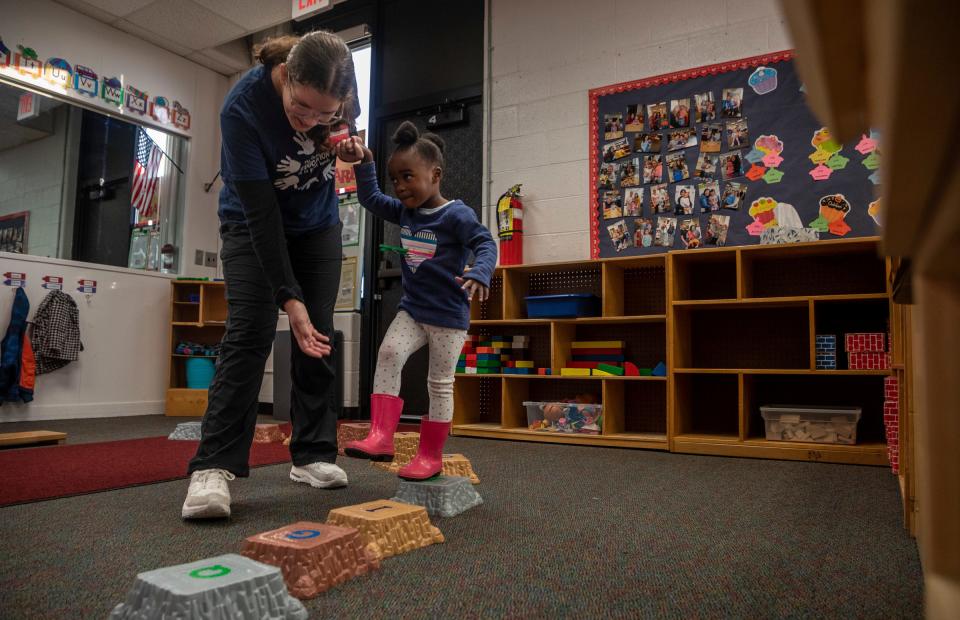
[{"x": 564, "y": 532}]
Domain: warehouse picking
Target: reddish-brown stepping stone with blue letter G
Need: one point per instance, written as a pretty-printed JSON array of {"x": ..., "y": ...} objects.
[{"x": 313, "y": 557}]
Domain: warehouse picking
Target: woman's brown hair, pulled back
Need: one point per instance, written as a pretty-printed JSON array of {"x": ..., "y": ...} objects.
[{"x": 320, "y": 60}]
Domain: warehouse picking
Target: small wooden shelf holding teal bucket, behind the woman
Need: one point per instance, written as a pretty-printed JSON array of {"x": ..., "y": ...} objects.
[{"x": 202, "y": 321}]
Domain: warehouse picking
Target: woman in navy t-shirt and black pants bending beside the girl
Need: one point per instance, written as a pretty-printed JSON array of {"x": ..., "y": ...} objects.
[{"x": 280, "y": 228}]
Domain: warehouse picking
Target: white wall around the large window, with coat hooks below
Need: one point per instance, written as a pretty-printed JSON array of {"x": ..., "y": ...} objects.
[{"x": 124, "y": 326}]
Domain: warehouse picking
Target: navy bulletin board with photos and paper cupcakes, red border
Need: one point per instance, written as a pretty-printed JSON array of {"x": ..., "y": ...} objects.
[{"x": 722, "y": 155}]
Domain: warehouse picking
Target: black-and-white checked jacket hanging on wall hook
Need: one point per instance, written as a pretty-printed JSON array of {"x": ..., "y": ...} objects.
[{"x": 56, "y": 332}]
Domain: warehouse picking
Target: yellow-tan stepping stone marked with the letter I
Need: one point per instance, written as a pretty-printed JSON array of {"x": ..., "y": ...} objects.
[{"x": 388, "y": 528}]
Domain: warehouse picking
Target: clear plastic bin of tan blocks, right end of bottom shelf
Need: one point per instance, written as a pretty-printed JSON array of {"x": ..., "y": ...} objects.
[{"x": 812, "y": 424}]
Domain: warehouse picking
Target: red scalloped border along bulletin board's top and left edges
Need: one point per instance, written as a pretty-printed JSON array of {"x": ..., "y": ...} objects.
[{"x": 677, "y": 76}]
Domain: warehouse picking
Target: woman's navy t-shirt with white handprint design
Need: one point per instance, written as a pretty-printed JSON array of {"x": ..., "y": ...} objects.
[{"x": 258, "y": 144}]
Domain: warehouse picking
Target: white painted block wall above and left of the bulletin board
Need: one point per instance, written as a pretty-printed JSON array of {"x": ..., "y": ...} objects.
[{"x": 547, "y": 54}]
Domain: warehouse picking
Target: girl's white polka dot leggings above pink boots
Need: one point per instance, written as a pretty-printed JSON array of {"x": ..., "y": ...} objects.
[{"x": 404, "y": 337}]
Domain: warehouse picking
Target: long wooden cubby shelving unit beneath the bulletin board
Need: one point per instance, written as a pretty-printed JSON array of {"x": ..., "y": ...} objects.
[{"x": 735, "y": 326}]
